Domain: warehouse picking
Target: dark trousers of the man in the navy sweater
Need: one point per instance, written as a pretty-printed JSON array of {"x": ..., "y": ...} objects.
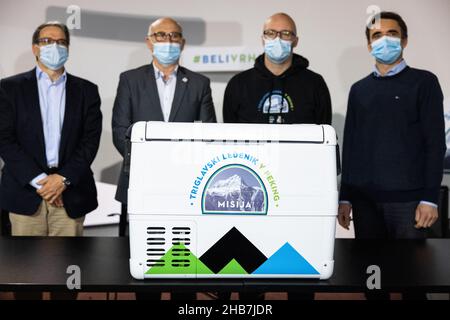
[{"x": 375, "y": 220}]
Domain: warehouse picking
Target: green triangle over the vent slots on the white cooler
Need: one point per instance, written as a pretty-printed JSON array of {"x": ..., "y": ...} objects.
[{"x": 193, "y": 264}]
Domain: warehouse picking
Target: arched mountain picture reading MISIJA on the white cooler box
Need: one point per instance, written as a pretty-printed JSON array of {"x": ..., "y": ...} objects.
[{"x": 235, "y": 189}]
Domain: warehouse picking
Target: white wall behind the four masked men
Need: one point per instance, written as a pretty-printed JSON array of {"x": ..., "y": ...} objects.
[{"x": 331, "y": 37}]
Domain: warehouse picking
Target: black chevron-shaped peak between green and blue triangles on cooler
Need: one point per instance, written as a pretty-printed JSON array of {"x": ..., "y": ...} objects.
[{"x": 233, "y": 245}]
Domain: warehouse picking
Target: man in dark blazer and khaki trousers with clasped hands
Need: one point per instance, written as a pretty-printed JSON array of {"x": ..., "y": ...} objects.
[{"x": 50, "y": 127}]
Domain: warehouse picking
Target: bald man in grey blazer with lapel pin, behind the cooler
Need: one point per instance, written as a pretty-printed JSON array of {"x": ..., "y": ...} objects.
[{"x": 160, "y": 91}]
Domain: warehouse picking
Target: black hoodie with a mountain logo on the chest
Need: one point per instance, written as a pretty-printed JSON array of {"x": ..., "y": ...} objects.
[{"x": 299, "y": 95}]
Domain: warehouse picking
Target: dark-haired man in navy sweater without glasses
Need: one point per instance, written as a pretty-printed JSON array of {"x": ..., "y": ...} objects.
[{"x": 394, "y": 143}]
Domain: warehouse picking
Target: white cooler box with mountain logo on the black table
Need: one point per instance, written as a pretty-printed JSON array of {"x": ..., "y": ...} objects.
[{"x": 232, "y": 200}]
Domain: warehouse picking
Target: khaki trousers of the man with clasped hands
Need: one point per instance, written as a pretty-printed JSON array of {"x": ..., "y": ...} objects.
[{"x": 47, "y": 221}]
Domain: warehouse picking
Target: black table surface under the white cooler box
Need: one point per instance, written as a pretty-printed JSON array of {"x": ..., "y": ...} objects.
[{"x": 41, "y": 264}]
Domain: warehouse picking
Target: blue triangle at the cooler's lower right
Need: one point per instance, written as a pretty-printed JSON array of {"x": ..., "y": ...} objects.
[{"x": 286, "y": 261}]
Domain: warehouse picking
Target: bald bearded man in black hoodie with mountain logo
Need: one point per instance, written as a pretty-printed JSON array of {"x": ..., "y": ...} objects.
[{"x": 279, "y": 90}]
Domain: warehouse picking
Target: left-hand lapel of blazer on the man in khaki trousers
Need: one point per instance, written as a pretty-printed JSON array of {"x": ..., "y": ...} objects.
[{"x": 34, "y": 110}]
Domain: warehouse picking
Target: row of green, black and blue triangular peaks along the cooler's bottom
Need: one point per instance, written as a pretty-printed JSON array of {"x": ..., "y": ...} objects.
[{"x": 232, "y": 254}]
